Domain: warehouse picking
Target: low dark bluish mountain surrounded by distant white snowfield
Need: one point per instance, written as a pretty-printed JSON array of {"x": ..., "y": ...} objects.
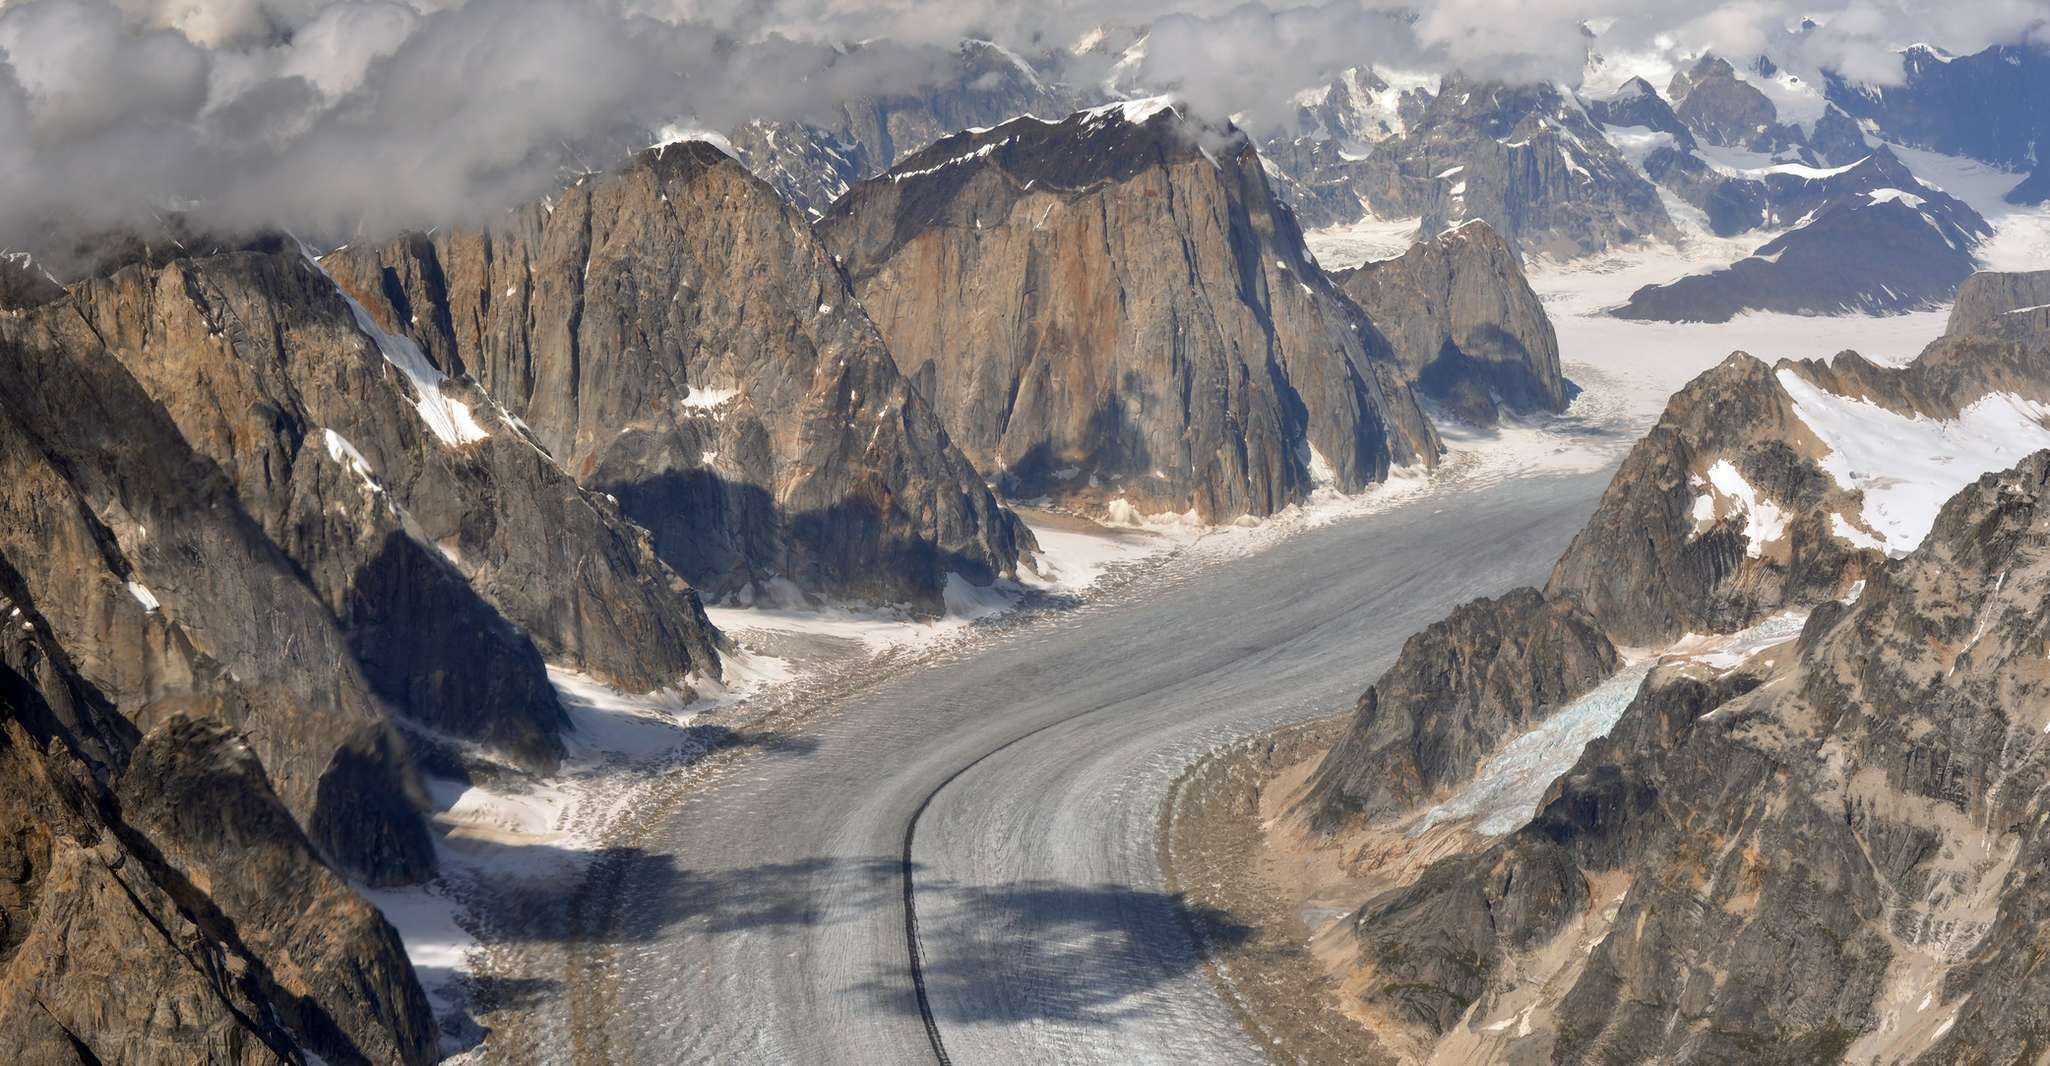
[{"x": 1869, "y": 239}]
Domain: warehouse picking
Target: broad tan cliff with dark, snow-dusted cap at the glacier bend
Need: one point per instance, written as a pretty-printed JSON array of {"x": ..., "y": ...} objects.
[{"x": 1116, "y": 306}]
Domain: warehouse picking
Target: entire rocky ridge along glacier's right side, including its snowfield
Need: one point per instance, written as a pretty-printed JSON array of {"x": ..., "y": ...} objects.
[{"x": 1785, "y": 846}]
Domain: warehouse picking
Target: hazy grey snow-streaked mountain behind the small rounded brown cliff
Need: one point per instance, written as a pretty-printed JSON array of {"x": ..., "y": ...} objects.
[{"x": 1524, "y": 159}]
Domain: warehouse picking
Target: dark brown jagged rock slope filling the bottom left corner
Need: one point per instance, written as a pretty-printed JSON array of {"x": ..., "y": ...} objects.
[{"x": 179, "y": 915}]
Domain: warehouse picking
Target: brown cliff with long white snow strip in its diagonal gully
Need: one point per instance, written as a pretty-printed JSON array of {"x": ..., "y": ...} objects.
[{"x": 452, "y": 507}]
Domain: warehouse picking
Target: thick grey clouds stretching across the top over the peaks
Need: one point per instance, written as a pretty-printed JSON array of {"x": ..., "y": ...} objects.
[{"x": 325, "y": 116}]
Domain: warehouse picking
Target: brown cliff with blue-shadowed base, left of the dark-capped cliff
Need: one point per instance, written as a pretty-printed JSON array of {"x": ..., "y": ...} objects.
[{"x": 673, "y": 335}]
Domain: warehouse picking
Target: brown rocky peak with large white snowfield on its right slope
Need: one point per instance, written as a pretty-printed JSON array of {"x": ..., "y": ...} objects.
[{"x": 1770, "y": 487}]
